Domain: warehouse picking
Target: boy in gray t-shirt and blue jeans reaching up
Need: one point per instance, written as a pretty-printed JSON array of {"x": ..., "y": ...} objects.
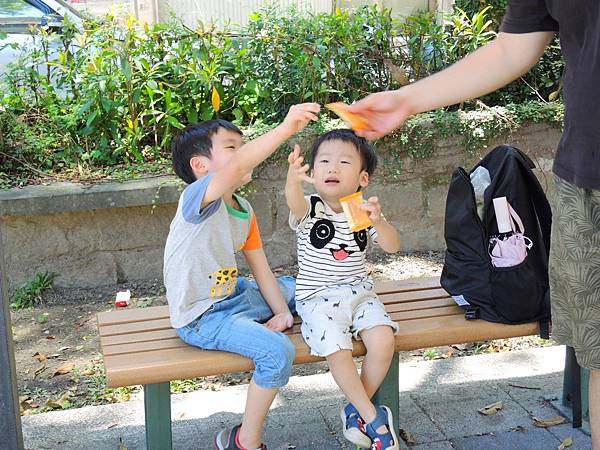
[{"x": 210, "y": 307}]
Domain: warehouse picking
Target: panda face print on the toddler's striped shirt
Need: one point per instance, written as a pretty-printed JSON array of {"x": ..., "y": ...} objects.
[{"x": 323, "y": 234}]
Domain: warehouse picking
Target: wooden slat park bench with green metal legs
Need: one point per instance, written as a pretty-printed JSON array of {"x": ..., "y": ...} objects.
[{"x": 140, "y": 347}]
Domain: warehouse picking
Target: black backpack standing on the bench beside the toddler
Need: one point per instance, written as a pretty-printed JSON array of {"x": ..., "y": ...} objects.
[{"x": 510, "y": 295}]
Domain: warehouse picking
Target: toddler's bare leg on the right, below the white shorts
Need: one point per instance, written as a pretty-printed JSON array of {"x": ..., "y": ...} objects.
[{"x": 379, "y": 342}]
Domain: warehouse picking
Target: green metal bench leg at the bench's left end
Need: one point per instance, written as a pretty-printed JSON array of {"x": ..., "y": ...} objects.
[{"x": 157, "y": 407}]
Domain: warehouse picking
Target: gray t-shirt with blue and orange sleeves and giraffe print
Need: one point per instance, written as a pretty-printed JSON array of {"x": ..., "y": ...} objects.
[{"x": 199, "y": 262}]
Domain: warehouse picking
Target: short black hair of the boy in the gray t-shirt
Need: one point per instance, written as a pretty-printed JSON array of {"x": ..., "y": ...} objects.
[{"x": 196, "y": 140}]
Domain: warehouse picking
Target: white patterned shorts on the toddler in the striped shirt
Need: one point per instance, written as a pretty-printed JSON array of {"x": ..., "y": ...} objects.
[{"x": 332, "y": 318}]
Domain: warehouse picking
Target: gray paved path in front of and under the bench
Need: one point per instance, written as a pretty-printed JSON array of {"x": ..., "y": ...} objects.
[{"x": 438, "y": 405}]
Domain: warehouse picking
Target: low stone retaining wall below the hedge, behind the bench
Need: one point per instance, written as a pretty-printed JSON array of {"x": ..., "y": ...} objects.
[{"x": 115, "y": 232}]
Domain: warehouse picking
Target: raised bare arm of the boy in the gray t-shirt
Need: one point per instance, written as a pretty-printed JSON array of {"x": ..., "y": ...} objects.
[{"x": 251, "y": 154}]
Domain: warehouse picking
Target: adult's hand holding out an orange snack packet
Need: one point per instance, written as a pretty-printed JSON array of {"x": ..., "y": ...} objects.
[{"x": 383, "y": 112}]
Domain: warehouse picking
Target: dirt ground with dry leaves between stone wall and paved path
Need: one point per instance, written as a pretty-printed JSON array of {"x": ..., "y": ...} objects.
[{"x": 57, "y": 347}]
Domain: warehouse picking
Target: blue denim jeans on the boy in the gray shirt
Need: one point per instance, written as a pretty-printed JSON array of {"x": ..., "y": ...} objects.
[{"x": 234, "y": 325}]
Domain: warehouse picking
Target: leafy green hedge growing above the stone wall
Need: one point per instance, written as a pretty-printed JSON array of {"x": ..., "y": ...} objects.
[{"x": 110, "y": 101}]
